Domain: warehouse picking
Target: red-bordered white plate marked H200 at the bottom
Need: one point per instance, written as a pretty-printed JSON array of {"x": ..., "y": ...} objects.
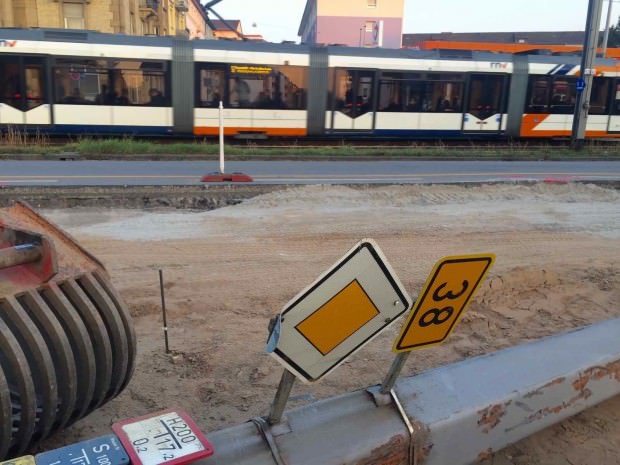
[{"x": 168, "y": 437}]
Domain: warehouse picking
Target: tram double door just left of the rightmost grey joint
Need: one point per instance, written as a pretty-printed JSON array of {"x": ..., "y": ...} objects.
[{"x": 486, "y": 103}]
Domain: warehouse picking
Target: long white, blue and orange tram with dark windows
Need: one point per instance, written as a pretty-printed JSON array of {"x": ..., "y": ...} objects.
[{"x": 81, "y": 82}]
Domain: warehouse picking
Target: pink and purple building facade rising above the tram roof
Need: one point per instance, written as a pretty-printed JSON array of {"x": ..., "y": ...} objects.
[{"x": 356, "y": 23}]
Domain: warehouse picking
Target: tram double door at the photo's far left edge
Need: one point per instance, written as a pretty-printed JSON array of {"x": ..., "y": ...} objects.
[{"x": 23, "y": 92}]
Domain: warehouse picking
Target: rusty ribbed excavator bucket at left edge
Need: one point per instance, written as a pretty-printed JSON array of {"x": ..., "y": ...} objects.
[{"x": 67, "y": 342}]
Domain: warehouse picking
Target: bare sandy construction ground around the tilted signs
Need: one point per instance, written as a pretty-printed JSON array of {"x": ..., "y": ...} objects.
[{"x": 228, "y": 271}]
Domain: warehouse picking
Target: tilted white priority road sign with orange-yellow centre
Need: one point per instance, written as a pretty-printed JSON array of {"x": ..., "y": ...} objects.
[{"x": 335, "y": 316}]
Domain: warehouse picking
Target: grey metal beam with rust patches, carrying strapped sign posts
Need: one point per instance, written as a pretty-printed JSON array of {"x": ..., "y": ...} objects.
[{"x": 459, "y": 414}]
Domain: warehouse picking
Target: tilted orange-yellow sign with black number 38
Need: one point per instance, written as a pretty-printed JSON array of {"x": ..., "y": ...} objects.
[{"x": 446, "y": 294}]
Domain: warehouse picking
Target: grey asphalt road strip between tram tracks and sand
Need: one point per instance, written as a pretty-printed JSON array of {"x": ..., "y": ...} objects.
[{"x": 136, "y": 173}]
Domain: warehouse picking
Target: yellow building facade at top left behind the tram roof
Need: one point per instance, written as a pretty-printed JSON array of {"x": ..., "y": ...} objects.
[{"x": 135, "y": 17}]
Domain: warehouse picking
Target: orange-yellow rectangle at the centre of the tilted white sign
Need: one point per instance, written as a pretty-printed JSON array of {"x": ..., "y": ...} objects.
[{"x": 338, "y": 319}]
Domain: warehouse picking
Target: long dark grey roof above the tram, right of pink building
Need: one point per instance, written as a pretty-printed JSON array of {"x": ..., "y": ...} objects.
[{"x": 533, "y": 37}]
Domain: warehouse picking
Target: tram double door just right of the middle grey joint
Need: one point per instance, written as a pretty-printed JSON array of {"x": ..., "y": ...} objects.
[{"x": 353, "y": 101}]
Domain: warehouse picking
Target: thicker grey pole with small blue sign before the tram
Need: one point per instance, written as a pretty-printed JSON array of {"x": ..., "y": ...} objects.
[{"x": 590, "y": 46}]
